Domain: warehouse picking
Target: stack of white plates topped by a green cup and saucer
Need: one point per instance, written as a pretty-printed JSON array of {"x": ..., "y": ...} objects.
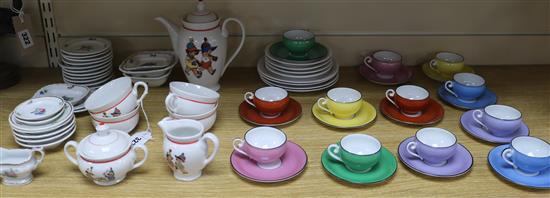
[{"x": 298, "y": 63}]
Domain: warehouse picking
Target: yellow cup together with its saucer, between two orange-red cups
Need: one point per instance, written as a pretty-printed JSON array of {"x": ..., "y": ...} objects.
[{"x": 343, "y": 108}]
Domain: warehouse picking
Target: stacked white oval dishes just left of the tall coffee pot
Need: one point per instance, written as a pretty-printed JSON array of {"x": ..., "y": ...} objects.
[{"x": 152, "y": 67}]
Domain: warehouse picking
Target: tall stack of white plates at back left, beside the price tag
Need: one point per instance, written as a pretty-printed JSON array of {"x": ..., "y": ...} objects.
[{"x": 87, "y": 61}]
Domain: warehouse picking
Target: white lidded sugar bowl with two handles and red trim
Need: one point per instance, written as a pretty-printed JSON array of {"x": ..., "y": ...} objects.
[{"x": 105, "y": 156}]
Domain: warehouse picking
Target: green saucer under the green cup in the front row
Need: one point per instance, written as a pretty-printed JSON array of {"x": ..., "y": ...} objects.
[{"x": 386, "y": 167}]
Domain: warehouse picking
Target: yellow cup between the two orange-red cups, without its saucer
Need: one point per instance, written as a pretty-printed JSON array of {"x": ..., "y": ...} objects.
[{"x": 341, "y": 102}]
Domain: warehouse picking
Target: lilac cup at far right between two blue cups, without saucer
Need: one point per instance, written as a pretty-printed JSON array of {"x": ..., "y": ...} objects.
[{"x": 499, "y": 120}]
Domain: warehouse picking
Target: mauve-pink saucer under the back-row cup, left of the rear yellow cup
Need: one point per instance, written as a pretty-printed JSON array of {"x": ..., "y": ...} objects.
[{"x": 402, "y": 76}]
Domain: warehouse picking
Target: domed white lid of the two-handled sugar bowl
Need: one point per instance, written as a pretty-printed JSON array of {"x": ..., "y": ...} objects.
[{"x": 105, "y": 144}]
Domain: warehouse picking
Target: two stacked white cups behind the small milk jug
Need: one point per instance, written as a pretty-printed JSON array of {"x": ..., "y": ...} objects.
[{"x": 191, "y": 101}]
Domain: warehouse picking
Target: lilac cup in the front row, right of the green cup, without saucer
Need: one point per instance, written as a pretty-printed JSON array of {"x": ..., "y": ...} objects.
[{"x": 434, "y": 146}]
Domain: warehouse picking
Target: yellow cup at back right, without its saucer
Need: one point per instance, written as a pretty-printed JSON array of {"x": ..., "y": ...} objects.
[{"x": 447, "y": 63}]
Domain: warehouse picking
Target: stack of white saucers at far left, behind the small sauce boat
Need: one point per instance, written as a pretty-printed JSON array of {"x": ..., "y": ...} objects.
[{"x": 42, "y": 122}]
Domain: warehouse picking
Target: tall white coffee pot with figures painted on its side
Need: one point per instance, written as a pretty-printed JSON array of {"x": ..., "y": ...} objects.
[{"x": 201, "y": 45}]
